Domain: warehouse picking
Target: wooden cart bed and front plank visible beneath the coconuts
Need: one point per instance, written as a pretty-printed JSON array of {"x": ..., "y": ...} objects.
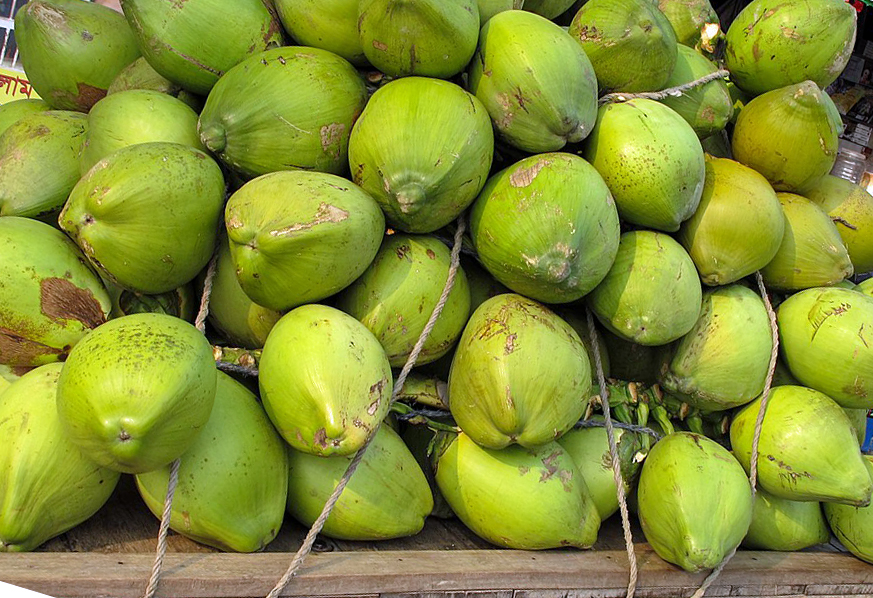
[{"x": 111, "y": 555}]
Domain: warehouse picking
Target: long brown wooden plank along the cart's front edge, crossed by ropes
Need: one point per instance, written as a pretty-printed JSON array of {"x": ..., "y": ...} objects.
[{"x": 218, "y": 575}]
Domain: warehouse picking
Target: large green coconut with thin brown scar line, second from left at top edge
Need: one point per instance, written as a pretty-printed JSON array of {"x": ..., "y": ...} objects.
[{"x": 172, "y": 36}]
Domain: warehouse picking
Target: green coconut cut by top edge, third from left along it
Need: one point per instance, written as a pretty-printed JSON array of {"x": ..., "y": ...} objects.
[{"x": 330, "y": 25}]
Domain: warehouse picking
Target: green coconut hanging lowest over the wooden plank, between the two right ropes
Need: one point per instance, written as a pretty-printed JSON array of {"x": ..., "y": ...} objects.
[{"x": 694, "y": 501}]
